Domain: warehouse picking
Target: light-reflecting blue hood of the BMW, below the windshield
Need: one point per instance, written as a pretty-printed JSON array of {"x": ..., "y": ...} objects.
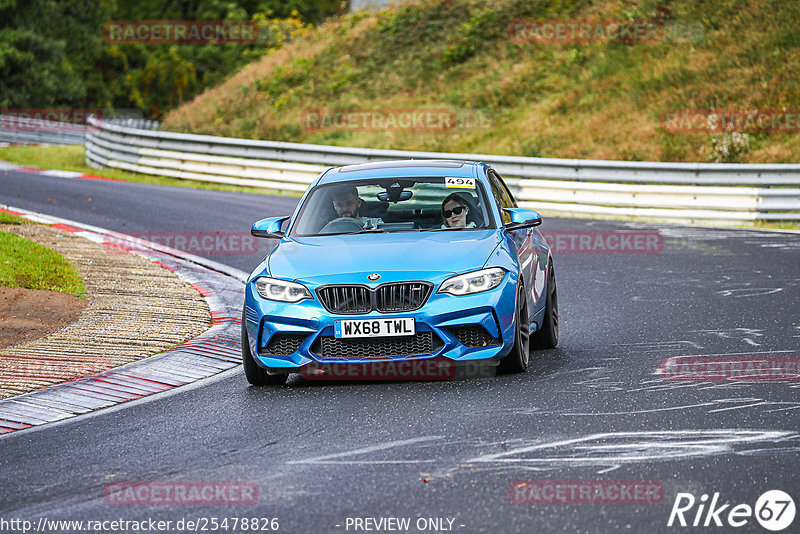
[{"x": 446, "y": 251}]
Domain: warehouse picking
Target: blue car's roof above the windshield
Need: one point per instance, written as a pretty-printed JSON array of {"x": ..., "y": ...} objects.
[{"x": 402, "y": 168}]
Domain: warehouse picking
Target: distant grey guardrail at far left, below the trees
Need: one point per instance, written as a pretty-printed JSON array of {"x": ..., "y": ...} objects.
[{"x": 18, "y": 130}]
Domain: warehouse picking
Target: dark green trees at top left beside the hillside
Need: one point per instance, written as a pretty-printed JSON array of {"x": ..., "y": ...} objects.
[{"x": 52, "y": 52}]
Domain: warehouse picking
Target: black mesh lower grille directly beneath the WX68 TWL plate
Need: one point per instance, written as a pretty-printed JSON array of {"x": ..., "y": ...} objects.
[{"x": 377, "y": 347}]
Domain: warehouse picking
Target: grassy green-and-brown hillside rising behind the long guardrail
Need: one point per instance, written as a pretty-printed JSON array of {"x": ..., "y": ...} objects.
[{"x": 506, "y": 87}]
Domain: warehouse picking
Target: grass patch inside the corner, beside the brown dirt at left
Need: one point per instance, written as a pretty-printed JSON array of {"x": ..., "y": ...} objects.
[{"x": 26, "y": 264}]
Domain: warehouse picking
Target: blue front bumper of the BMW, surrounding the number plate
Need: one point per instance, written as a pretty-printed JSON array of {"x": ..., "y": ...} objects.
[{"x": 285, "y": 337}]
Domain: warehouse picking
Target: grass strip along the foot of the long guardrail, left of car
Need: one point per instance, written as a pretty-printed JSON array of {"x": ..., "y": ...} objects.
[{"x": 72, "y": 158}]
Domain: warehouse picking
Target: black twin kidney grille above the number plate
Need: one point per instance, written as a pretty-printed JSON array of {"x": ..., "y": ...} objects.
[{"x": 392, "y": 297}]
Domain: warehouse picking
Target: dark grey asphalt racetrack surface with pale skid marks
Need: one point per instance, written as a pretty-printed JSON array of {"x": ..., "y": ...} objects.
[{"x": 594, "y": 409}]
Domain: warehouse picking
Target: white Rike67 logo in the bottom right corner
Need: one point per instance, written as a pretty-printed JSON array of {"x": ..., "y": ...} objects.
[{"x": 774, "y": 510}]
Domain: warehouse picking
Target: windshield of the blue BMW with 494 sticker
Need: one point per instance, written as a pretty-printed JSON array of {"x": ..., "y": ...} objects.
[{"x": 394, "y": 205}]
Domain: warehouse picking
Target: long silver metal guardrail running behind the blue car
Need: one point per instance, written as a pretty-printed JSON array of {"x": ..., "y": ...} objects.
[{"x": 723, "y": 193}]
